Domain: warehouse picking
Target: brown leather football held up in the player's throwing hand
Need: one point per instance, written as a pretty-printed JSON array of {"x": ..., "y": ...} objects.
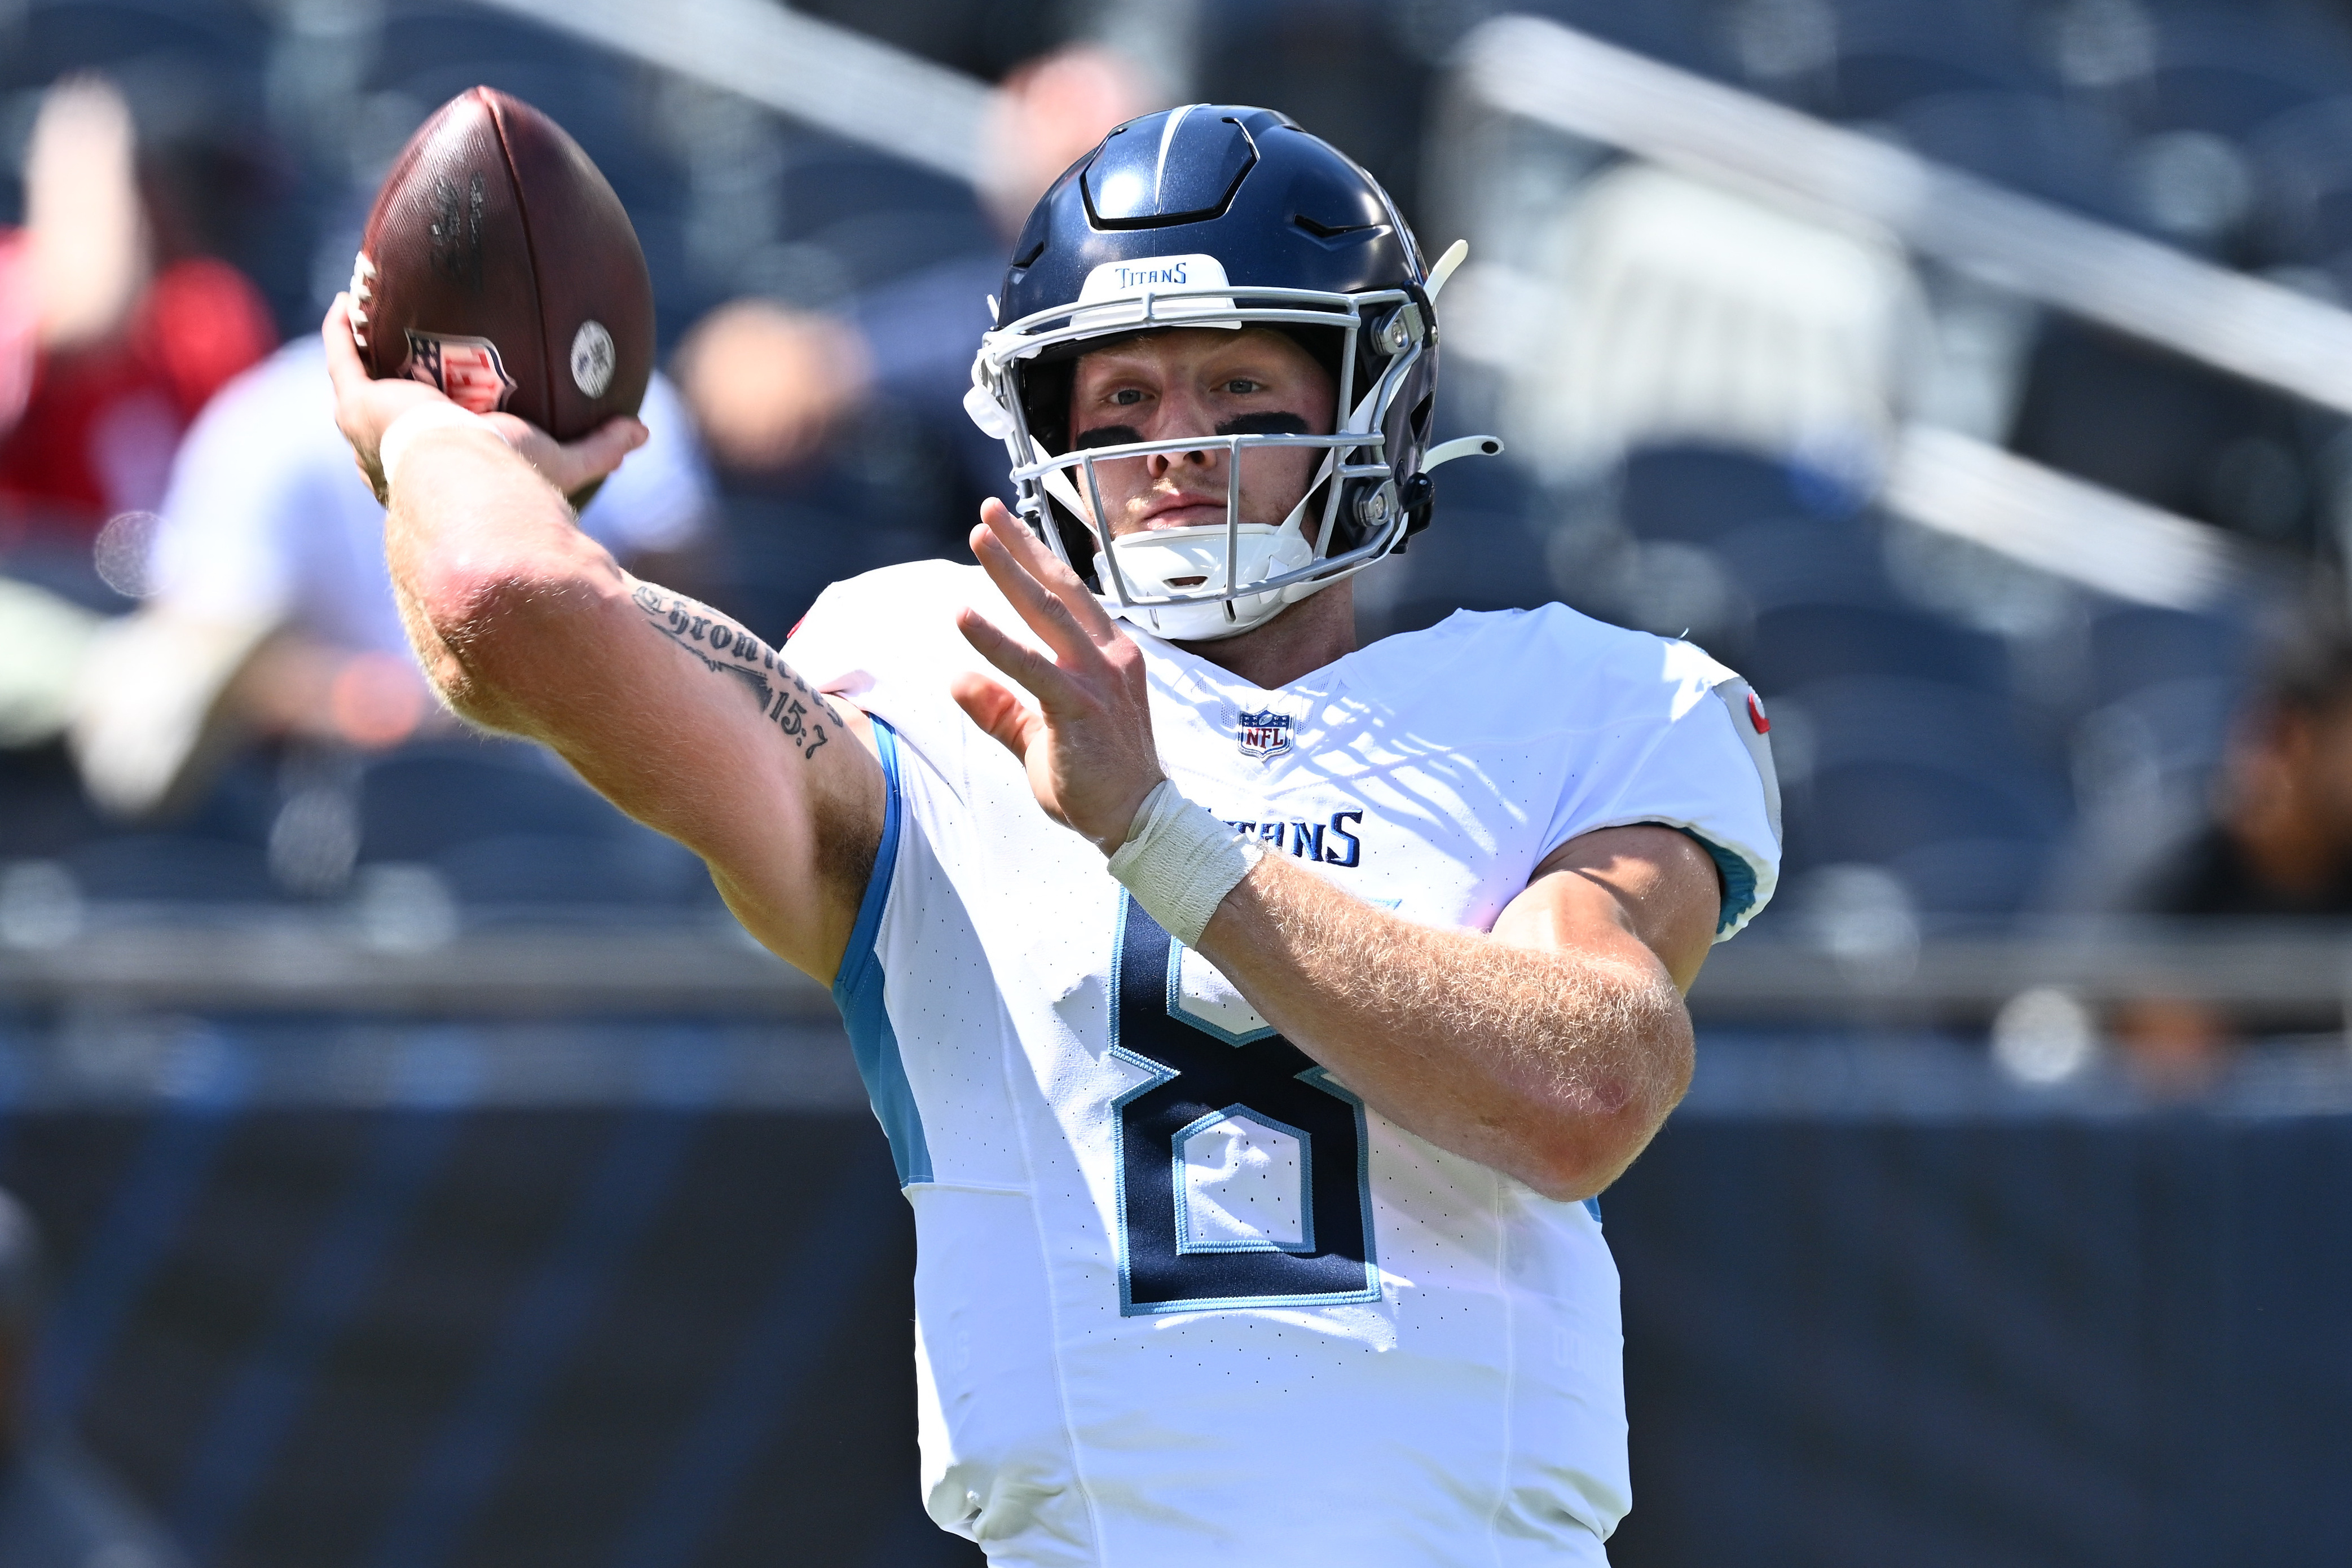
[{"x": 502, "y": 269}]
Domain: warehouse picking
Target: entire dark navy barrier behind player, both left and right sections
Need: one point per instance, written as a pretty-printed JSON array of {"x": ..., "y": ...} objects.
[{"x": 636, "y": 1296}]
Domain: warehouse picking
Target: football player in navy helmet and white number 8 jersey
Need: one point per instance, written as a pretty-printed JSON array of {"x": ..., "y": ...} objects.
[{"x": 1255, "y": 1017}]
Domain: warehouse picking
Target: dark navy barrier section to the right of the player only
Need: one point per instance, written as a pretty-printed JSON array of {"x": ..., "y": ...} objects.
[{"x": 1885, "y": 1311}]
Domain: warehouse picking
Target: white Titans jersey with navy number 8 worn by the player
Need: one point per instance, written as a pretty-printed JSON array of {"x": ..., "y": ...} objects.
[{"x": 1180, "y": 1294}]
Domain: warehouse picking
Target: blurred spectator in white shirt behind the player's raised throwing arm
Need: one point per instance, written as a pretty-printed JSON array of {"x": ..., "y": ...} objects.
[{"x": 269, "y": 605}]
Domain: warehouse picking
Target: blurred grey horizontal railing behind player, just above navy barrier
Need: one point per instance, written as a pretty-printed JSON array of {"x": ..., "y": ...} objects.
[{"x": 2266, "y": 974}]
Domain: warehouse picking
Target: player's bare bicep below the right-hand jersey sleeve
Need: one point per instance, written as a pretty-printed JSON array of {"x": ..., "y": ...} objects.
[{"x": 1622, "y": 885}]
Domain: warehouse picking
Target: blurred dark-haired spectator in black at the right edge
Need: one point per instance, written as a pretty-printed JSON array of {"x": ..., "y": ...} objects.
[{"x": 2278, "y": 845}]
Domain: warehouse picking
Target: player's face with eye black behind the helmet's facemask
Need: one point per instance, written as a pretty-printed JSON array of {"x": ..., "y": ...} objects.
[{"x": 1201, "y": 382}]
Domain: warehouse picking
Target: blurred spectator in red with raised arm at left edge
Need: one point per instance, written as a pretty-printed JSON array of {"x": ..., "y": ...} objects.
[{"x": 112, "y": 333}]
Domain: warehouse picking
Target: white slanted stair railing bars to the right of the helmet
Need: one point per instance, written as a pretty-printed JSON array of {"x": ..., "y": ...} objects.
[{"x": 1960, "y": 483}]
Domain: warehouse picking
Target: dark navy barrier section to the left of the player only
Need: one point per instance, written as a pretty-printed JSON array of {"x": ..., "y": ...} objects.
[{"x": 439, "y": 1296}]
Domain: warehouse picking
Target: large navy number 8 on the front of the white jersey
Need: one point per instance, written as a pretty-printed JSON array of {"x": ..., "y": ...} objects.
[{"x": 1243, "y": 1167}]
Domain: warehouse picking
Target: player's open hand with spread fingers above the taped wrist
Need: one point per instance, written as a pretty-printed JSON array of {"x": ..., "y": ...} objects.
[{"x": 1088, "y": 746}]
